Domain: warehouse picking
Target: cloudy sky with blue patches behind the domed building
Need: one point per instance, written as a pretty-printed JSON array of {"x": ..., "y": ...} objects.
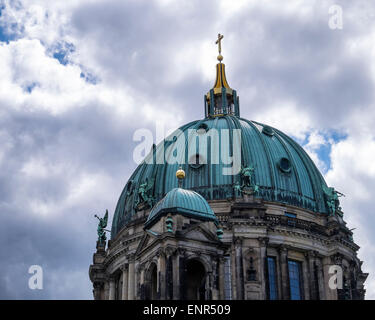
[{"x": 77, "y": 78}]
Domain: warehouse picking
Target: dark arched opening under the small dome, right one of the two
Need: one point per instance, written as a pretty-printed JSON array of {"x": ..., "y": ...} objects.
[{"x": 195, "y": 280}]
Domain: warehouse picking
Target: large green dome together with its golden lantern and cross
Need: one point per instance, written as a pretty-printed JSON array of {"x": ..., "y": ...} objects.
[{"x": 273, "y": 166}]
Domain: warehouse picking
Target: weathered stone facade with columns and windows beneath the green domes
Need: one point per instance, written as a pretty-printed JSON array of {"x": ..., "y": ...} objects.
[{"x": 191, "y": 262}]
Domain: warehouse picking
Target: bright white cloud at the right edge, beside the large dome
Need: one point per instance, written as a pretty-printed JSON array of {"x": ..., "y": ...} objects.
[{"x": 353, "y": 173}]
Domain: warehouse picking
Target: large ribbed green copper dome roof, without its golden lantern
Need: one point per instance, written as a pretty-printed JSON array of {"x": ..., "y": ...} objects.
[{"x": 283, "y": 172}]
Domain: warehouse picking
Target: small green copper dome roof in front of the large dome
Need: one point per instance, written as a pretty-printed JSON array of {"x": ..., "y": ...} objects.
[{"x": 185, "y": 202}]
